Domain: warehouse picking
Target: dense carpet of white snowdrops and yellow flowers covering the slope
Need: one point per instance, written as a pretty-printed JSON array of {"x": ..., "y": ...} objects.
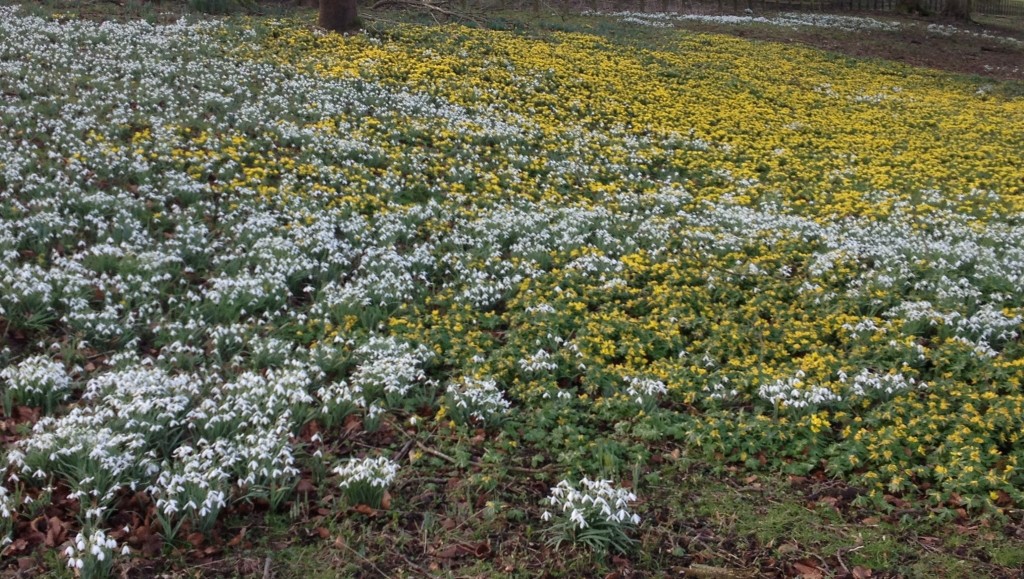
[{"x": 519, "y": 289}]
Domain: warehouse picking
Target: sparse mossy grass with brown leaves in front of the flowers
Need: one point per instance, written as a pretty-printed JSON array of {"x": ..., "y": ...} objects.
[{"x": 756, "y": 529}]
